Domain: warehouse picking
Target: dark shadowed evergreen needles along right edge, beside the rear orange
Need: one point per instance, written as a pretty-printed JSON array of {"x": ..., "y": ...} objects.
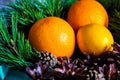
[{"x": 113, "y": 10}]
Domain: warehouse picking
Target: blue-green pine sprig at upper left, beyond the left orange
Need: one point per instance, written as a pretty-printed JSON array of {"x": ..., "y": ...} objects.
[{"x": 28, "y": 11}]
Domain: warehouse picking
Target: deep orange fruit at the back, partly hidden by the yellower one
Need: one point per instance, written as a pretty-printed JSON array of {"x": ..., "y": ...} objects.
[{"x": 85, "y": 12}]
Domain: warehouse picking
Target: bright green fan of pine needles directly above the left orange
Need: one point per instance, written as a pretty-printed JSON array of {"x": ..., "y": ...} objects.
[{"x": 52, "y": 7}]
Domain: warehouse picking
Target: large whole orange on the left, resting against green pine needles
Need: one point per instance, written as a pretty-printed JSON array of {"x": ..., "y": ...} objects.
[{"x": 54, "y": 35}]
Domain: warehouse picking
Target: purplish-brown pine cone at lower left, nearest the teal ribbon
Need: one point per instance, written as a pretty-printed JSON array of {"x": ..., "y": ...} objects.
[{"x": 39, "y": 72}]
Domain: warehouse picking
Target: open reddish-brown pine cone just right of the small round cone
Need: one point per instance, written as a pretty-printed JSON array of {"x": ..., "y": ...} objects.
[{"x": 68, "y": 68}]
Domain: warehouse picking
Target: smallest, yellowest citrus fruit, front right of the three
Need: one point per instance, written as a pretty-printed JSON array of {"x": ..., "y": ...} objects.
[{"x": 95, "y": 39}]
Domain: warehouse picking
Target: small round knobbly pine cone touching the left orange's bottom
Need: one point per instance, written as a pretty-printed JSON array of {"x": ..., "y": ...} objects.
[{"x": 48, "y": 59}]
